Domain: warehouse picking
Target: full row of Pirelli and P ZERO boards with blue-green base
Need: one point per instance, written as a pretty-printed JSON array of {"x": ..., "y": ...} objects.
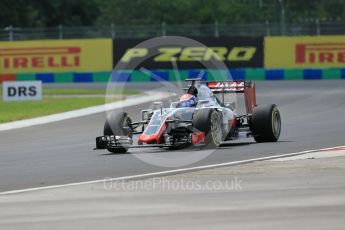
[{"x": 92, "y": 60}]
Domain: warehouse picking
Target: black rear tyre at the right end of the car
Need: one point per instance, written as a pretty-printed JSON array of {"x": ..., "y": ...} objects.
[{"x": 266, "y": 123}]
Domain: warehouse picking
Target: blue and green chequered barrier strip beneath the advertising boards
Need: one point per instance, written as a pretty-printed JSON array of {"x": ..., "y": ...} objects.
[{"x": 172, "y": 75}]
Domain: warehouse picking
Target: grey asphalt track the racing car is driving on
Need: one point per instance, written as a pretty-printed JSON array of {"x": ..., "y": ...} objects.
[{"x": 61, "y": 152}]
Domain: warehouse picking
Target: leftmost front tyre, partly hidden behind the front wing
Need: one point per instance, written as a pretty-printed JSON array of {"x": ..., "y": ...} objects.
[{"x": 117, "y": 124}]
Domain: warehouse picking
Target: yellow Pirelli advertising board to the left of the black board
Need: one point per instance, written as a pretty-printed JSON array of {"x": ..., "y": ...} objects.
[{"x": 53, "y": 56}]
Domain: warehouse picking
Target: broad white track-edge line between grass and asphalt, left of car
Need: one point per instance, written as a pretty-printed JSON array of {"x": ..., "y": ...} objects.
[{"x": 84, "y": 112}]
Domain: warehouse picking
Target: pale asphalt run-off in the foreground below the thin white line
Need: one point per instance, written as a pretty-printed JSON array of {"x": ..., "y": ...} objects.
[{"x": 297, "y": 194}]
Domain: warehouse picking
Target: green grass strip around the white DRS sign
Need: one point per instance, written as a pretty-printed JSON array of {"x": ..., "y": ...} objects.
[{"x": 18, "y": 110}]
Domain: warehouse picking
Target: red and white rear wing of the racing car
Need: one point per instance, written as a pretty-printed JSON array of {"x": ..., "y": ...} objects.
[{"x": 245, "y": 87}]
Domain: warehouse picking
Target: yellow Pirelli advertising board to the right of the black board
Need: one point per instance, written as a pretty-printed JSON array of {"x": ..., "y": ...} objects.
[{"x": 305, "y": 52}]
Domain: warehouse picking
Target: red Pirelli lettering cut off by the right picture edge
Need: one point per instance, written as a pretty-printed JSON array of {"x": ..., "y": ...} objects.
[{"x": 320, "y": 53}]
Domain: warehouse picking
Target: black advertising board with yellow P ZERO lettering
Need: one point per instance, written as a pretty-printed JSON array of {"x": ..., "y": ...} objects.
[{"x": 235, "y": 52}]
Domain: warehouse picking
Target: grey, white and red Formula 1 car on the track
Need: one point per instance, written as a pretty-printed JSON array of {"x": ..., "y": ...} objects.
[{"x": 210, "y": 123}]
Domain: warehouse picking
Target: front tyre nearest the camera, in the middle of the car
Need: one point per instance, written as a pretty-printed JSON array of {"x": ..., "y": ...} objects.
[{"x": 209, "y": 122}]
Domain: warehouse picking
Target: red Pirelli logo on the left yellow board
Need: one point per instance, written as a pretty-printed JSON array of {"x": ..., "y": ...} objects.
[{"x": 40, "y": 57}]
